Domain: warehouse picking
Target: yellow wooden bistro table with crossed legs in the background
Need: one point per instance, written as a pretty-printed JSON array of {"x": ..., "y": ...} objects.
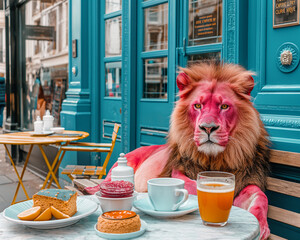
[{"x": 28, "y": 138}]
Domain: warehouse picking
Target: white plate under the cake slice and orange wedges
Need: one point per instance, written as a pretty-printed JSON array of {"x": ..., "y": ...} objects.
[{"x": 85, "y": 207}]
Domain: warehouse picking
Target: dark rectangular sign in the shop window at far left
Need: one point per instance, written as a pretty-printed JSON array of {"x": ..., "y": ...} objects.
[{"x": 42, "y": 33}]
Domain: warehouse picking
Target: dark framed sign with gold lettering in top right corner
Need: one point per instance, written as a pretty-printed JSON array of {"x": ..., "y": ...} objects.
[{"x": 285, "y": 13}]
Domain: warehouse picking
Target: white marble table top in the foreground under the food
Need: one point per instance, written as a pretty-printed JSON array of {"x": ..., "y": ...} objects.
[{"x": 241, "y": 225}]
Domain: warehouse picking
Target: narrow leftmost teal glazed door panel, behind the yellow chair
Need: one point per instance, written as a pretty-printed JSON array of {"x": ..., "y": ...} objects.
[{"x": 110, "y": 74}]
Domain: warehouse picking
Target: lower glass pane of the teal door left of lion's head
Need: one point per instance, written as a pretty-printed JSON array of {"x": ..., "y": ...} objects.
[{"x": 156, "y": 78}]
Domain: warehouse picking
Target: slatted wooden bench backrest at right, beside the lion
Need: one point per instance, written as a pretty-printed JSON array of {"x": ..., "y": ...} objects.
[{"x": 284, "y": 195}]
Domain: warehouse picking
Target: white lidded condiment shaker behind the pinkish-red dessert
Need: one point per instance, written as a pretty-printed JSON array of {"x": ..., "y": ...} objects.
[{"x": 122, "y": 171}]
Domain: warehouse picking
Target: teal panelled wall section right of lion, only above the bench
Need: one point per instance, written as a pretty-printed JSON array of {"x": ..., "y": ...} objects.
[{"x": 277, "y": 96}]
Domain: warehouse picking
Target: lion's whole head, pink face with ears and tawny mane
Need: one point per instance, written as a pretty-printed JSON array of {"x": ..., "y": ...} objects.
[{"x": 214, "y": 110}]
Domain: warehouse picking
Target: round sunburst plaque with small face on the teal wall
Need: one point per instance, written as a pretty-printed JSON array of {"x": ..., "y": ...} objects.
[{"x": 287, "y": 57}]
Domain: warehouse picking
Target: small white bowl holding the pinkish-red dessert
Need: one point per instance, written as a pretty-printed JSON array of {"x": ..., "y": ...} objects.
[{"x": 112, "y": 204}]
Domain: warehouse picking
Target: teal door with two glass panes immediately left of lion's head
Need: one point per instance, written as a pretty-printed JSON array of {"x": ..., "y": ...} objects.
[{"x": 155, "y": 70}]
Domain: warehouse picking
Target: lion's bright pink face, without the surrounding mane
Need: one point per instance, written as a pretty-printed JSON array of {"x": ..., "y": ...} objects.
[{"x": 213, "y": 114}]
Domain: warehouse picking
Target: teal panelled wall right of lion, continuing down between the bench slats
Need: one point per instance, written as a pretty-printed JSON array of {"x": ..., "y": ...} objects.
[{"x": 274, "y": 55}]
